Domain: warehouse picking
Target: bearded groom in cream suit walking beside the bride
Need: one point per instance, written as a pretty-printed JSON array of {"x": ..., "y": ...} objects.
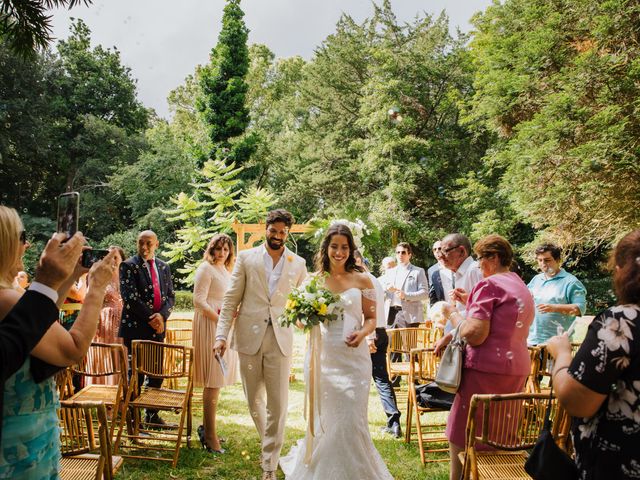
[{"x": 260, "y": 283}]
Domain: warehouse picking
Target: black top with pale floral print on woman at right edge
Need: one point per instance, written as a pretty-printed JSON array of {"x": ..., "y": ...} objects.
[{"x": 607, "y": 445}]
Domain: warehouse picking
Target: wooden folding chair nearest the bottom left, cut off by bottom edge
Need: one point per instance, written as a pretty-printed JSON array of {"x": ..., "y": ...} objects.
[{"x": 79, "y": 438}]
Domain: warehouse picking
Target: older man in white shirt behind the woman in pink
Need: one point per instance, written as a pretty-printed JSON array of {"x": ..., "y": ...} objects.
[{"x": 456, "y": 254}]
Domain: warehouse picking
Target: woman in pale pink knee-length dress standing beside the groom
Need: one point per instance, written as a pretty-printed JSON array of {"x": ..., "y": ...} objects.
[{"x": 210, "y": 284}]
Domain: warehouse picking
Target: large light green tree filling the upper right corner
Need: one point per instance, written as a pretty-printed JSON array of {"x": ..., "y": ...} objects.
[{"x": 558, "y": 83}]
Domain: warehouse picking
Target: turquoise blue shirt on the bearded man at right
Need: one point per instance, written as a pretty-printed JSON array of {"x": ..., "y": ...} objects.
[{"x": 562, "y": 288}]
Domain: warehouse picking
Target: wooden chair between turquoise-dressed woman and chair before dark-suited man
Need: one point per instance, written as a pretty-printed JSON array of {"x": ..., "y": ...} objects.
[{"x": 104, "y": 360}]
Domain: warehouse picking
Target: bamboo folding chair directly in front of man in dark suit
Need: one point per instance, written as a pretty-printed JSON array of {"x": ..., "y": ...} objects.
[{"x": 158, "y": 360}]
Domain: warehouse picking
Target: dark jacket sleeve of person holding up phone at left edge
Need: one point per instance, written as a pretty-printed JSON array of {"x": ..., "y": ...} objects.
[{"x": 20, "y": 332}]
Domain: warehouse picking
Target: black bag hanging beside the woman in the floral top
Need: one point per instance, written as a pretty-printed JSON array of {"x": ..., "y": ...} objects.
[{"x": 547, "y": 460}]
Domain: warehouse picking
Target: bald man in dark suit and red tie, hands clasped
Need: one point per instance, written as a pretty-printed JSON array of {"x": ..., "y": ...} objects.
[{"x": 148, "y": 298}]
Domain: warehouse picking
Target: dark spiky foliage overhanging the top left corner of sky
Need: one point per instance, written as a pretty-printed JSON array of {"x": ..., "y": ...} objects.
[{"x": 25, "y": 24}]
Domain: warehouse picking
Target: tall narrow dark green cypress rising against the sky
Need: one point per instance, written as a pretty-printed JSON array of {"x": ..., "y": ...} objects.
[{"x": 224, "y": 89}]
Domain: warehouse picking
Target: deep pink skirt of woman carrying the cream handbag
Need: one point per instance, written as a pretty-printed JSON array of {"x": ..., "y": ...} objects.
[{"x": 474, "y": 382}]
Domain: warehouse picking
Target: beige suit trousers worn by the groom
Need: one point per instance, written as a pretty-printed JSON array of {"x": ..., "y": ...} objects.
[{"x": 266, "y": 374}]
